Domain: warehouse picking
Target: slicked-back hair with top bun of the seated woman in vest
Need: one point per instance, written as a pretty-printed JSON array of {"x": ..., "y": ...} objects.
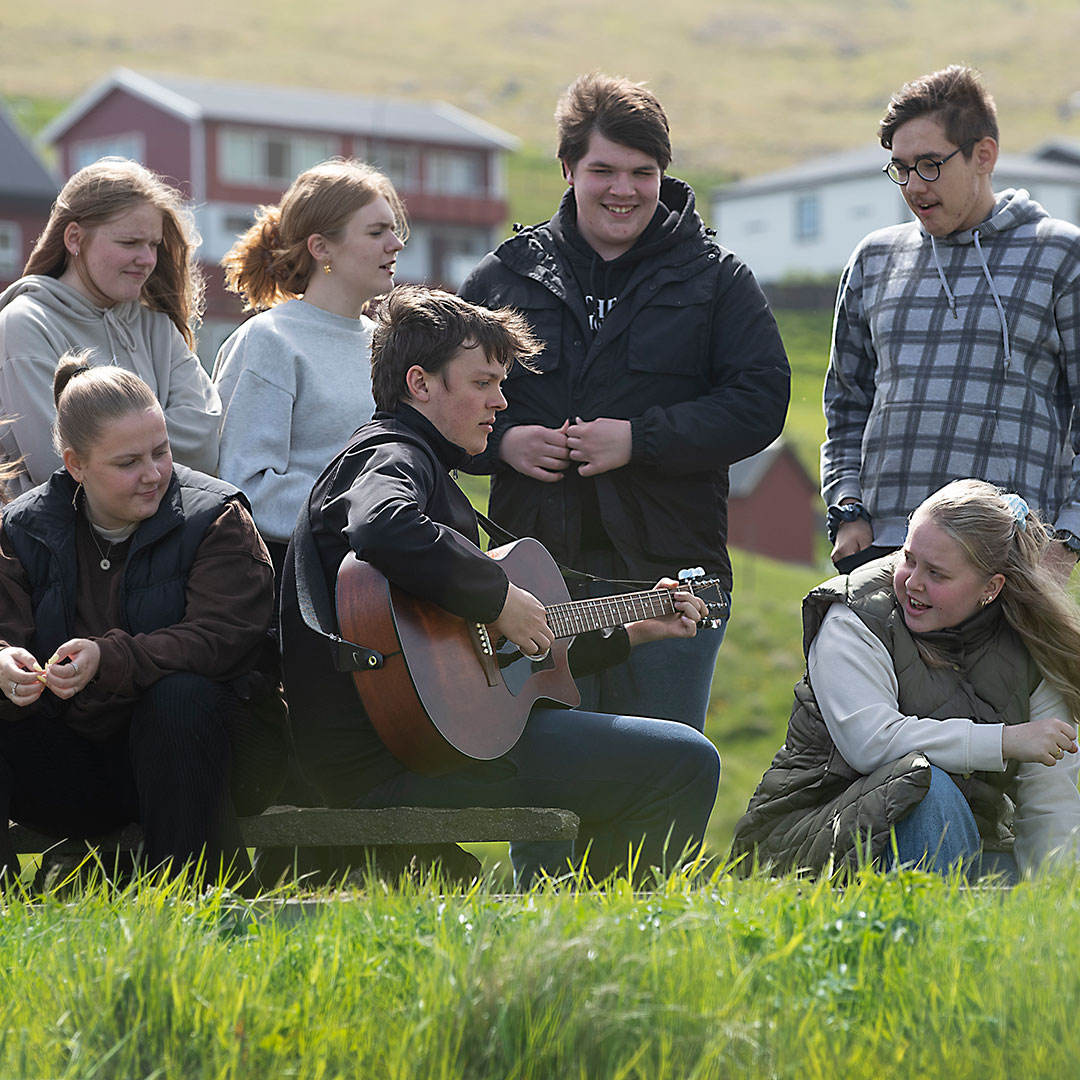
[{"x": 89, "y": 399}]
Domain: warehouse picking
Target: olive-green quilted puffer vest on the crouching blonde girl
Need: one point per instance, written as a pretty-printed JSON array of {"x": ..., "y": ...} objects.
[{"x": 813, "y": 809}]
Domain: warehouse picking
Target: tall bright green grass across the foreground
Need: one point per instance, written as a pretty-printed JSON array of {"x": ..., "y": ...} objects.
[{"x": 900, "y": 976}]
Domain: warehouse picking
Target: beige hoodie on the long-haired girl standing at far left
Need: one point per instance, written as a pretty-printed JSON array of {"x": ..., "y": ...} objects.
[{"x": 42, "y": 318}]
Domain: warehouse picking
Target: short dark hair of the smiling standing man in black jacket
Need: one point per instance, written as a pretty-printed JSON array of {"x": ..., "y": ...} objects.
[{"x": 620, "y": 111}]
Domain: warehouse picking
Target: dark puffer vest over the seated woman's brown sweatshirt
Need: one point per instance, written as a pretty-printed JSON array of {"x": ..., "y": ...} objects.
[{"x": 40, "y": 528}]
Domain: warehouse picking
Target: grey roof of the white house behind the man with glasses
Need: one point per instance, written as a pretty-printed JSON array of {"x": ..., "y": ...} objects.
[{"x": 869, "y": 161}]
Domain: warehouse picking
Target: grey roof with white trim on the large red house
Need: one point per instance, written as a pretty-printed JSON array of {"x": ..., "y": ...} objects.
[{"x": 291, "y": 107}]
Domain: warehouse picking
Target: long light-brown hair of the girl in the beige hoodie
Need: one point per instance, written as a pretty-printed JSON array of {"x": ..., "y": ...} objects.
[{"x": 105, "y": 191}]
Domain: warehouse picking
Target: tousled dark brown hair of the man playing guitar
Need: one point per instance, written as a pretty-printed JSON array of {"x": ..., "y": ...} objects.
[{"x": 427, "y": 327}]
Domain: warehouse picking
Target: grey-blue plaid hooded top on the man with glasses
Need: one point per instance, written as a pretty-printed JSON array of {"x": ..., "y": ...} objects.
[{"x": 929, "y": 382}]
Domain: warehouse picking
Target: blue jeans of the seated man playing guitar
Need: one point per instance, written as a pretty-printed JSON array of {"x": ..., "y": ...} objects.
[{"x": 632, "y": 781}]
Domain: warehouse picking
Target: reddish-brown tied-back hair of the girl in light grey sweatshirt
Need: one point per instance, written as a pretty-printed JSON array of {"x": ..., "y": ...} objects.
[{"x": 272, "y": 263}]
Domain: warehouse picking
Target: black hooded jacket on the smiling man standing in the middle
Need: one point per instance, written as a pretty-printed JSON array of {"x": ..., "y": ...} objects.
[{"x": 690, "y": 354}]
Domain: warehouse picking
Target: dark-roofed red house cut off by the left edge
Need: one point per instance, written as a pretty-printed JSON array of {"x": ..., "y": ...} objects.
[{"x": 28, "y": 191}]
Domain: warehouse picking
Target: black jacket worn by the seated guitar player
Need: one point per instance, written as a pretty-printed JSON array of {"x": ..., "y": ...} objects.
[{"x": 390, "y": 498}]
